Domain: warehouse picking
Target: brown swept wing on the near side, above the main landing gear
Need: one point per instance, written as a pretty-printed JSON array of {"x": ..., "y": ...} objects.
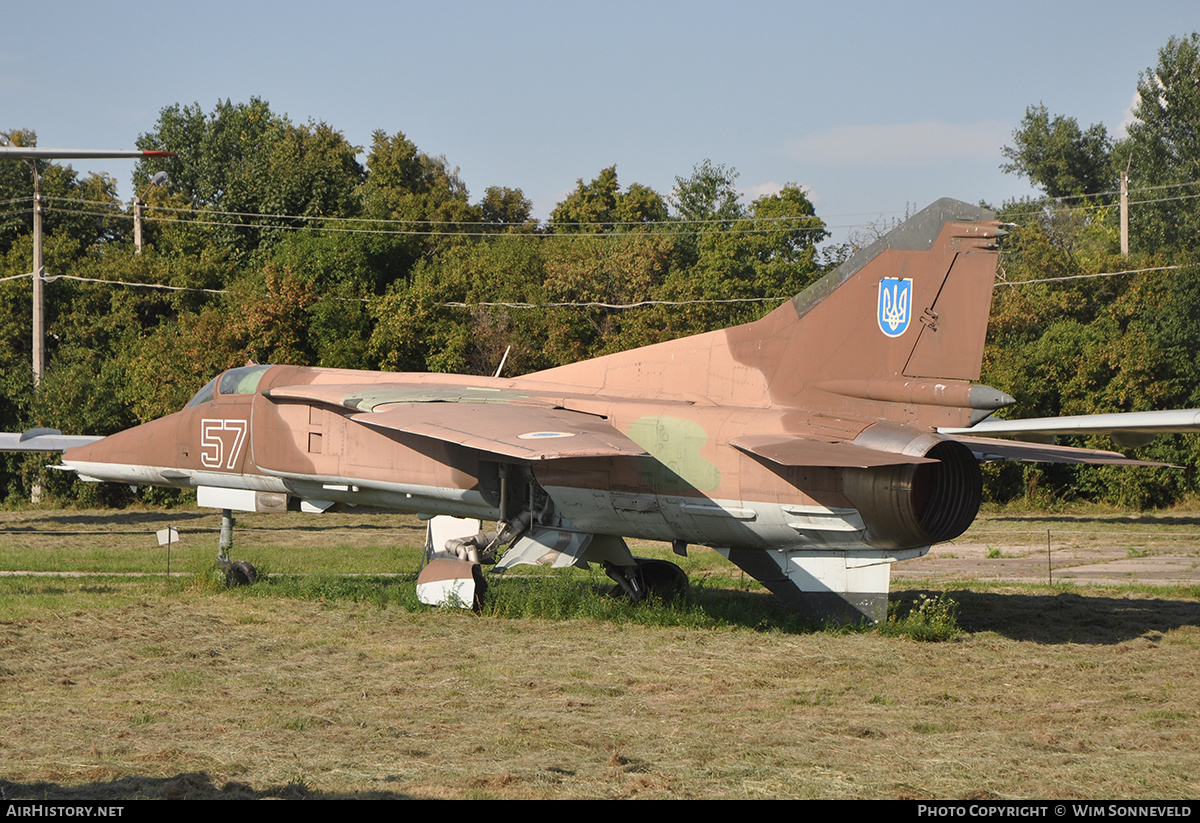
[{"x": 520, "y": 432}]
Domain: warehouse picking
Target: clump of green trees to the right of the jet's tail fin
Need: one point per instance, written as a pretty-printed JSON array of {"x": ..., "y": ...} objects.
[{"x": 1113, "y": 344}]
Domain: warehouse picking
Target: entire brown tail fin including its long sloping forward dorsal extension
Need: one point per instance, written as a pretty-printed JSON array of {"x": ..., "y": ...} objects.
[{"x": 902, "y": 322}]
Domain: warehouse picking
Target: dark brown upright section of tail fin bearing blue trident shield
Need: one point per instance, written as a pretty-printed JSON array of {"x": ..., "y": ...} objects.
[{"x": 903, "y": 322}]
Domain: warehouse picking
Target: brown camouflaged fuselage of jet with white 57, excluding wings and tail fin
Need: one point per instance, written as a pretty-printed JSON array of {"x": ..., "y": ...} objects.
[{"x": 691, "y": 486}]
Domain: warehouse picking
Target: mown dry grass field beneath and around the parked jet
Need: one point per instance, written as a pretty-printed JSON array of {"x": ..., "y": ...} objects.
[{"x": 131, "y": 684}]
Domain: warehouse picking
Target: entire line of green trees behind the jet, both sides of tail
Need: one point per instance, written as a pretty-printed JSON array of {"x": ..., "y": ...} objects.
[{"x": 278, "y": 245}]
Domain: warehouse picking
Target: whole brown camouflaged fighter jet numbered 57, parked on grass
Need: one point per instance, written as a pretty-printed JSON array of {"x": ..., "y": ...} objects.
[{"x": 803, "y": 447}]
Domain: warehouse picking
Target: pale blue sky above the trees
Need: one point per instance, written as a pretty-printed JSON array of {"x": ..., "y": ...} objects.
[{"x": 869, "y": 106}]
